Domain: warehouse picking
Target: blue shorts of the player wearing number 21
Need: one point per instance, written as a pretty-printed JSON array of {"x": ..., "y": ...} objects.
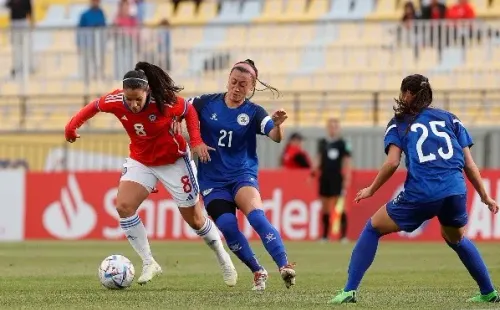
[{"x": 229, "y": 190}]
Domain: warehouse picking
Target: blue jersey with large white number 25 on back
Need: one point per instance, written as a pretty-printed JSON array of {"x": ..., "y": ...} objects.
[{"x": 433, "y": 145}]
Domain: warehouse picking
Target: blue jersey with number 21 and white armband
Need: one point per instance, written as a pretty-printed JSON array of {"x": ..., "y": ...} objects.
[{"x": 233, "y": 133}]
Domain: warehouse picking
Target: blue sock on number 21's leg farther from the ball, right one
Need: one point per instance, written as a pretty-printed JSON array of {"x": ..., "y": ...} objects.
[{"x": 270, "y": 237}]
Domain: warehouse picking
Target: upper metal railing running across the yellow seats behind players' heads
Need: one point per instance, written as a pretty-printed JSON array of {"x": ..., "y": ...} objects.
[{"x": 329, "y": 55}]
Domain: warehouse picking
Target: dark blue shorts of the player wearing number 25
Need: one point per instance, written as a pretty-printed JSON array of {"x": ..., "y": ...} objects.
[{"x": 450, "y": 211}]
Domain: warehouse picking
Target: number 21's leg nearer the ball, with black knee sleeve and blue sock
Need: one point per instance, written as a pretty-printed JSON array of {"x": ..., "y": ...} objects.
[{"x": 223, "y": 212}]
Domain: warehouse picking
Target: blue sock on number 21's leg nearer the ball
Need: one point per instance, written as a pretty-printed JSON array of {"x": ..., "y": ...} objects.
[{"x": 236, "y": 241}]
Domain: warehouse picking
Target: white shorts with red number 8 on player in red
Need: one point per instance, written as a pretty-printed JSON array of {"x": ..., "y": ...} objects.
[{"x": 179, "y": 179}]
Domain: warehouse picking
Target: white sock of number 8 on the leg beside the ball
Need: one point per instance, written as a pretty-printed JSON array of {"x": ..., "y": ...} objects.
[{"x": 137, "y": 236}]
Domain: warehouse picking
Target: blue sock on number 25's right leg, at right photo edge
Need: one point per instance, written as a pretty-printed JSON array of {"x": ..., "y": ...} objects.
[{"x": 470, "y": 257}]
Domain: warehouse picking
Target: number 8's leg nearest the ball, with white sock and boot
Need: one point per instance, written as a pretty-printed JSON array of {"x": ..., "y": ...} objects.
[{"x": 136, "y": 183}]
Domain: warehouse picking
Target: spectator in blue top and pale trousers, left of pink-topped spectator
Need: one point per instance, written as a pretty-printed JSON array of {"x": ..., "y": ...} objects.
[{"x": 91, "y": 41}]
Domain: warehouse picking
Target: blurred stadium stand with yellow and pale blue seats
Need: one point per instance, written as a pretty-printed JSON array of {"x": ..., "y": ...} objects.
[{"x": 311, "y": 50}]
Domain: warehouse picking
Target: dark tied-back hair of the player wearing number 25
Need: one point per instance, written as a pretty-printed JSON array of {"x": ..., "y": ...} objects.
[{"x": 418, "y": 85}]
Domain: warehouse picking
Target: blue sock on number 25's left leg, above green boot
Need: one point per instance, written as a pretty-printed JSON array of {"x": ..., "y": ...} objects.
[{"x": 362, "y": 256}]
